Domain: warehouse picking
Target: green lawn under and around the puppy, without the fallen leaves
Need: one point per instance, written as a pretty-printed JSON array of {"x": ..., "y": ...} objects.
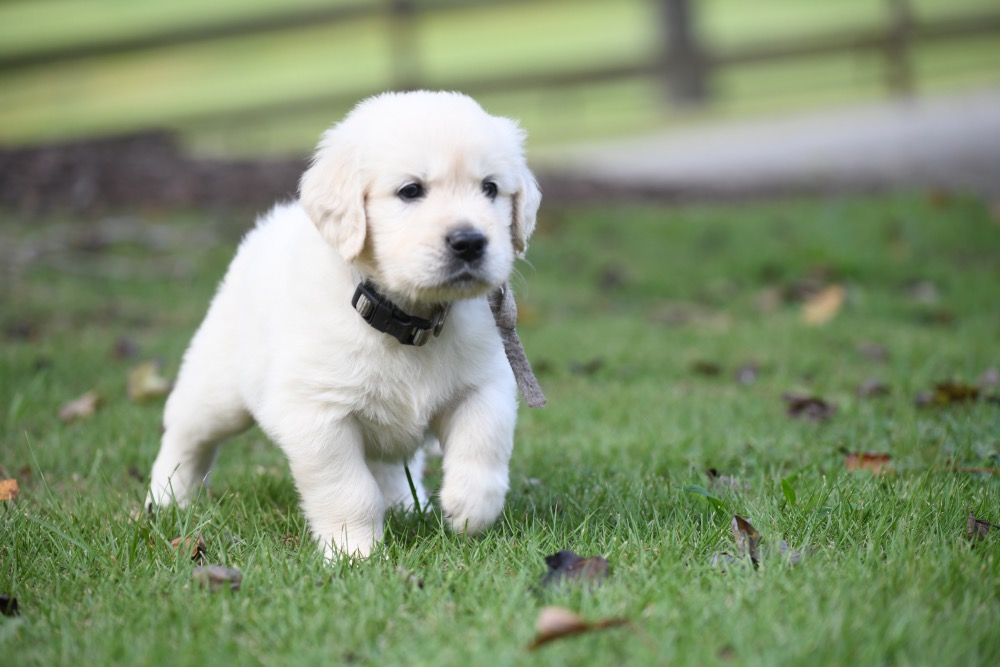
[{"x": 618, "y": 305}]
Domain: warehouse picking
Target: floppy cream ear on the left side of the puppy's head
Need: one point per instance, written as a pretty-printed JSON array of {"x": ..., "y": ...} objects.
[{"x": 332, "y": 193}]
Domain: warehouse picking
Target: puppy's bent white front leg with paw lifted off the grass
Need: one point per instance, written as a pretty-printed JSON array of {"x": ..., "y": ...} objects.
[{"x": 478, "y": 440}]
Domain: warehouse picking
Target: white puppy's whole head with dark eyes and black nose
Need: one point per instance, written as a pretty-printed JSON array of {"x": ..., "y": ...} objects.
[{"x": 425, "y": 193}]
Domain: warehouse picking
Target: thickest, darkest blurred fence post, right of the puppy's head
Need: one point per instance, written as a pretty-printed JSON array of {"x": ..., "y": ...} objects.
[{"x": 684, "y": 64}]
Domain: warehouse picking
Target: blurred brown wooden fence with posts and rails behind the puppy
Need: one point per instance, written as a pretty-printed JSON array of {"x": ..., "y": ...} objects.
[{"x": 684, "y": 63}]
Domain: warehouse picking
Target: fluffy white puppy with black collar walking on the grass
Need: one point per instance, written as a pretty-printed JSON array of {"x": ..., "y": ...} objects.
[{"x": 354, "y": 323}]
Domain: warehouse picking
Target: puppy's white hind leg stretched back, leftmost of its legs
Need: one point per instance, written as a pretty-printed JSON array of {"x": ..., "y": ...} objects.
[{"x": 198, "y": 416}]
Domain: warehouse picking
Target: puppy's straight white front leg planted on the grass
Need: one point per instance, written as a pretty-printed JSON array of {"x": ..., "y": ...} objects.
[{"x": 340, "y": 497}]
